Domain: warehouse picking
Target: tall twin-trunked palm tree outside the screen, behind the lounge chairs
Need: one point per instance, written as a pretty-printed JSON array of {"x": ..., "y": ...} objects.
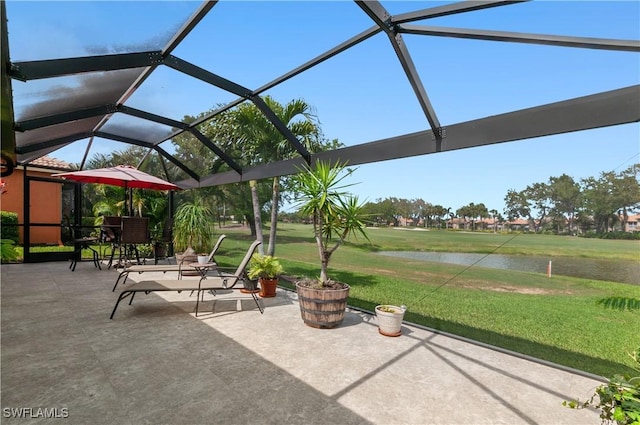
[{"x": 265, "y": 144}]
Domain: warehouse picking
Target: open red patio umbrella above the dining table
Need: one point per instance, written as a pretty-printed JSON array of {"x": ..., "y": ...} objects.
[{"x": 121, "y": 175}]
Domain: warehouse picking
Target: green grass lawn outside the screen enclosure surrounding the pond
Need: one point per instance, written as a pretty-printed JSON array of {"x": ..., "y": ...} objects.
[{"x": 554, "y": 319}]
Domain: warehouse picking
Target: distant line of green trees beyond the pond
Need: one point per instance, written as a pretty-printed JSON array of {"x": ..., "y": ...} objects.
[{"x": 561, "y": 205}]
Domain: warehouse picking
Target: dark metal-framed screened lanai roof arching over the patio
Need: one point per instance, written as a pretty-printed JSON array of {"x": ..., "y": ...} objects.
[{"x": 388, "y": 79}]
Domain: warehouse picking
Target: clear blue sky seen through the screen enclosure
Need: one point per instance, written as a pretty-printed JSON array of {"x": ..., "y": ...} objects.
[{"x": 363, "y": 95}]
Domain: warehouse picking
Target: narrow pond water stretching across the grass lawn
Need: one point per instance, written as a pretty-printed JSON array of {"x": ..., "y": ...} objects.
[{"x": 597, "y": 269}]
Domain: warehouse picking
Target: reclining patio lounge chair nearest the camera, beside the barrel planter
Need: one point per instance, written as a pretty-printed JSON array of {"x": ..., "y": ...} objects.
[{"x": 205, "y": 283}]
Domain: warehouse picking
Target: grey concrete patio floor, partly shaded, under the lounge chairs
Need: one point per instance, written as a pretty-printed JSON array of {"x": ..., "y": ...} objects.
[{"x": 155, "y": 363}]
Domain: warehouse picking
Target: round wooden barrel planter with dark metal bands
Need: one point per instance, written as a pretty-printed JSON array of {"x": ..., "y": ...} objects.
[{"x": 322, "y": 308}]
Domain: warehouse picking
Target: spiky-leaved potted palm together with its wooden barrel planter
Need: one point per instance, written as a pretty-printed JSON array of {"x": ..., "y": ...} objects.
[{"x": 336, "y": 215}]
